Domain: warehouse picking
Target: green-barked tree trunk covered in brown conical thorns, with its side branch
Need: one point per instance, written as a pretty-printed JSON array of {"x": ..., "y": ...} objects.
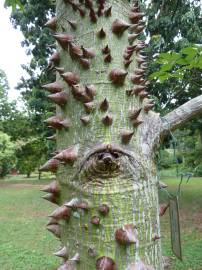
[{"x": 106, "y": 188}]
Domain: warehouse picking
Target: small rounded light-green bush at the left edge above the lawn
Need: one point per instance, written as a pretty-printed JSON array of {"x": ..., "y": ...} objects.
[{"x": 7, "y": 154}]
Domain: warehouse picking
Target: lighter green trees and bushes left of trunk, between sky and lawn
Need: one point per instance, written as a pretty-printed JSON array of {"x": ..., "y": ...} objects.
[{"x": 17, "y": 130}]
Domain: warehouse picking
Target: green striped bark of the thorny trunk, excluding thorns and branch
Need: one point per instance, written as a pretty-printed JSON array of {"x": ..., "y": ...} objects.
[{"x": 109, "y": 168}]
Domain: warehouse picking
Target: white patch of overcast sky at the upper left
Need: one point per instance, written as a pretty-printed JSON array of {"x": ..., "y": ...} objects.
[{"x": 12, "y": 55}]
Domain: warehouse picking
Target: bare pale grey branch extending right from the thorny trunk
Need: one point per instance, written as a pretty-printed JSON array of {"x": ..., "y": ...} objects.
[{"x": 181, "y": 115}]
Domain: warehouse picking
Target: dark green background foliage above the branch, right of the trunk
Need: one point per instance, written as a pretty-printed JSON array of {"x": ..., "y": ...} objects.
[{"x": 171, "y": 27}]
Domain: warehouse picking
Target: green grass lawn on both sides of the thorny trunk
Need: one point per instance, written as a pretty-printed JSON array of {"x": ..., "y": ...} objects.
[{"x": 26, "y": 245}]
